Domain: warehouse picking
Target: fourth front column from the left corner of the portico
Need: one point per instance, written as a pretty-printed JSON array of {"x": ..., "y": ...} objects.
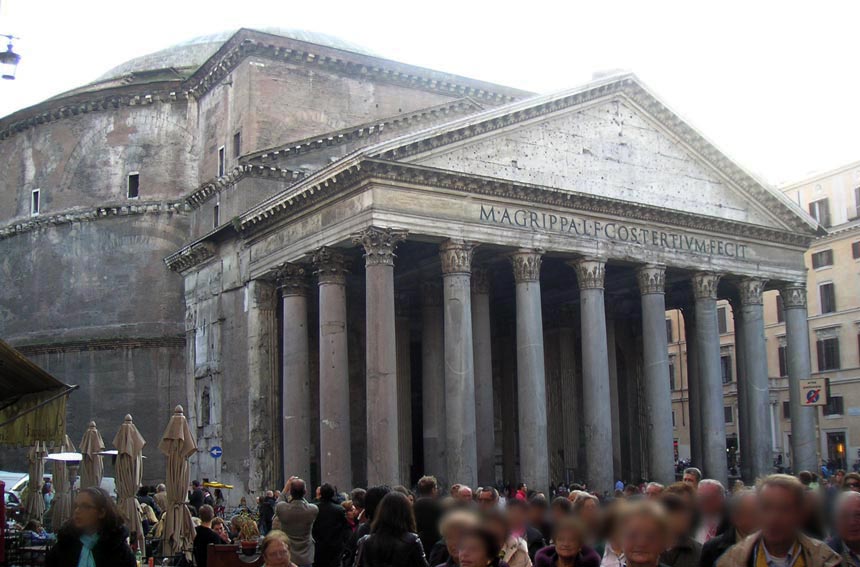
[{"x": 595, "y": 369}]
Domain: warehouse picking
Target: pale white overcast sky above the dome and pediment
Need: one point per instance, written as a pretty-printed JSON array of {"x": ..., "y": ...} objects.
[{"x": 776, "y": 85}]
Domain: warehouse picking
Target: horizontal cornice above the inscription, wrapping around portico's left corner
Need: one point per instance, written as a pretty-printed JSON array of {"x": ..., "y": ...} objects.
[{"x": 312, "y": 190}]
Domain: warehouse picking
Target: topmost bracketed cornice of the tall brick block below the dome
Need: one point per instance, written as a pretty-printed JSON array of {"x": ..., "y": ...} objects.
[{"x": 246, "y": 42}]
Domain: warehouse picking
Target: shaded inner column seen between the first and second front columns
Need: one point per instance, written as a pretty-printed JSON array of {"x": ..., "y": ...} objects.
[{"x": 433, "y": 382}]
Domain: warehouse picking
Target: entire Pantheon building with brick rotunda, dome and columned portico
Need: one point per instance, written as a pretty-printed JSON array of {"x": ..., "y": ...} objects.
[{"x": 361, "y": 271}]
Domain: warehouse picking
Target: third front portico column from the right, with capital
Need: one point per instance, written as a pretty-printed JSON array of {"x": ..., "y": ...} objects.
[{"x": 710, "y": 377}]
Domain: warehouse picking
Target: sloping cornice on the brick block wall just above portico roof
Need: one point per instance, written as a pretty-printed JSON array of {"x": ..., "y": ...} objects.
[{"x": 367, "y": 131}]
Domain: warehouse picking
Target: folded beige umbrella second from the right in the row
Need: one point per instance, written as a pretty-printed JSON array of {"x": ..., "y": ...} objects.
[{"x": 129, "y": 446}]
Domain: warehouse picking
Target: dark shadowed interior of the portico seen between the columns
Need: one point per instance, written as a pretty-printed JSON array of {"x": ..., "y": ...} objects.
[{"x": 418, "y": 283}]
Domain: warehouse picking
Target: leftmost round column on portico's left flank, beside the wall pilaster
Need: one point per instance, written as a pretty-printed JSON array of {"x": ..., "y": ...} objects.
[{"x": 296, "y": 388}]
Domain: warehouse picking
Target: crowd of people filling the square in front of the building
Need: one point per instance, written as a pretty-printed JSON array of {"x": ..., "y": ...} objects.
[{"x": 783, "y": 521}]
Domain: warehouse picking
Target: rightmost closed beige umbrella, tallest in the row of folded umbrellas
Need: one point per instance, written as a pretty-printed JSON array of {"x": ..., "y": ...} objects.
[{"x": 178, "y": 444}]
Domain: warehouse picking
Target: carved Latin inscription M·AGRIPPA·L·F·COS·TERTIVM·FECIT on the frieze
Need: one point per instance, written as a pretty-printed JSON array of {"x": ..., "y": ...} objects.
[{"x": 610, "y": 230}]
